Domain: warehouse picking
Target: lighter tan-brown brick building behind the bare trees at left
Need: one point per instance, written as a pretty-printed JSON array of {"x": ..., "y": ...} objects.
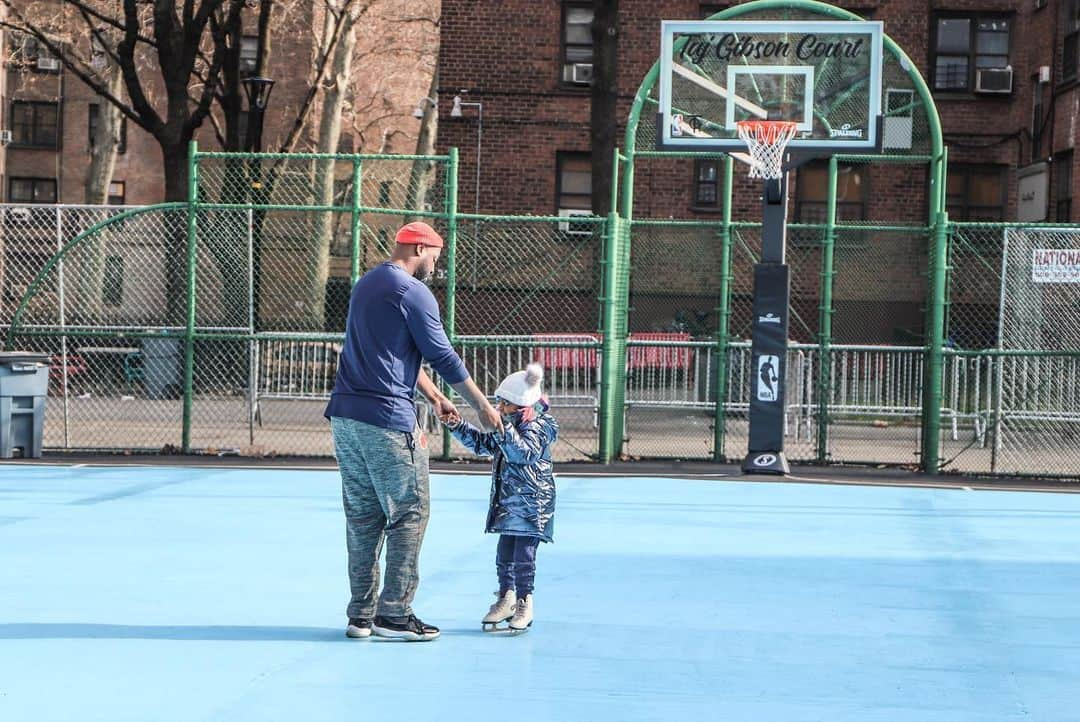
[{"x": 47, "y": 116}]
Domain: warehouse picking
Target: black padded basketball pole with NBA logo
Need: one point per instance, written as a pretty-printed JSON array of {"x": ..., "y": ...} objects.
[{"x": 769, "y": 337}]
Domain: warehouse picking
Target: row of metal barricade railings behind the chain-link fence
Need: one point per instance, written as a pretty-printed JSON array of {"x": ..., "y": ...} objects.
[{"x": 867, "y": 383}]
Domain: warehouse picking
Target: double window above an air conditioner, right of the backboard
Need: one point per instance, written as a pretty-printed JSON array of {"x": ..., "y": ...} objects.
[{"x": 966, "y": 45}]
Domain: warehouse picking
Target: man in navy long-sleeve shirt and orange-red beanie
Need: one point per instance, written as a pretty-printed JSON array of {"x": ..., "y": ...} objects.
[{"x": 383, "y": 455}]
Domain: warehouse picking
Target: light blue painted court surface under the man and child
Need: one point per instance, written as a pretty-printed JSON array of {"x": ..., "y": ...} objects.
[{"x": 152, "y": 594}]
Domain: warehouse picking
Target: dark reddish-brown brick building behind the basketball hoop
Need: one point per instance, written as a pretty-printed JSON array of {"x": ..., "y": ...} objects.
[{"x": 1004, "y": 75}]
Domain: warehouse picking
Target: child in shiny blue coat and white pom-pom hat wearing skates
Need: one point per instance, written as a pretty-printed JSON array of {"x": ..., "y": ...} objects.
[{"x": 522, "y": 510}]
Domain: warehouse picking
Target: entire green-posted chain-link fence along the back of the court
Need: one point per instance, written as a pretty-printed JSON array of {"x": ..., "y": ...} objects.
[{"x": 110, "y": 308}]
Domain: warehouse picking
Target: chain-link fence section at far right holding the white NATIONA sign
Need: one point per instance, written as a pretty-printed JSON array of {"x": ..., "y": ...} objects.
[{"x": 1015, "y": 343}]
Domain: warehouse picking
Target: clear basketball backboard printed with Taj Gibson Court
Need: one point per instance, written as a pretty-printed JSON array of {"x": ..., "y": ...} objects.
[{"x": 825, "y": 76}]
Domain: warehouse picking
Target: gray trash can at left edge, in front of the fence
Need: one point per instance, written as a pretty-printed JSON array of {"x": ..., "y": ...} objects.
[{"x": 24, "y": 386}]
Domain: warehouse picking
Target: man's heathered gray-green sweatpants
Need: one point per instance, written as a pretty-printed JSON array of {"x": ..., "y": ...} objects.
[{"x": 385, "y": 492}]
